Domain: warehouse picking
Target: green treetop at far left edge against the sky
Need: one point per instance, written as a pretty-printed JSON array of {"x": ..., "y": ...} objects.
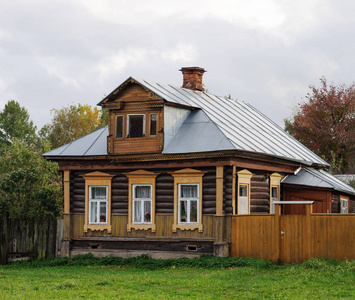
[{"x": 15, "y": 123}]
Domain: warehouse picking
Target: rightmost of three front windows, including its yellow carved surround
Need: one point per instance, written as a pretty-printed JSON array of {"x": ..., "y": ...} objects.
[{"x": 187, "y": 200}]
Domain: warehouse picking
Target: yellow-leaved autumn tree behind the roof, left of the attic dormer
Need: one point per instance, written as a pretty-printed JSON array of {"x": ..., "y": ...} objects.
[{"x": 72, "y": 122}]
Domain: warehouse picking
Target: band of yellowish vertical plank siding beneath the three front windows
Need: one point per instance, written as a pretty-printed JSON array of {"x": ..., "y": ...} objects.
[{"x": 164, "y": 223}]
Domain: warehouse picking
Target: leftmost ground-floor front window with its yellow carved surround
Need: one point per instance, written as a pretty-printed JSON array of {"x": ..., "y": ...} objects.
[{"x": 97, "y": 201}]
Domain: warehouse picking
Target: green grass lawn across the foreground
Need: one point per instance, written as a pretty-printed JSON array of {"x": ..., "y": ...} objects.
[{"x": 208, "y": 278}]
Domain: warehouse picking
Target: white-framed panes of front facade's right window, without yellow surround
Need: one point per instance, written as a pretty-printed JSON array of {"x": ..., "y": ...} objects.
[{"x": 188, "y": 203}]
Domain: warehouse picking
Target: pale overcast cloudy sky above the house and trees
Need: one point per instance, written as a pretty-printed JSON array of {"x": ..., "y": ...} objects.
[{"x": 54, "y": 53}]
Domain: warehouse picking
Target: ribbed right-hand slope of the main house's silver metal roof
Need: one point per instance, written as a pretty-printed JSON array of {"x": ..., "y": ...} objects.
[{"x": 244, "y": 126}]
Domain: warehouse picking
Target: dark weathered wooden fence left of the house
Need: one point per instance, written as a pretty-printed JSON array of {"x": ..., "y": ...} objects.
[{"x": 27, "y": 238}]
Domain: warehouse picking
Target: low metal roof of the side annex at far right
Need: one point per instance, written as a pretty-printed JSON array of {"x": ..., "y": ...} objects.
[{"x": 318, "y": 178}]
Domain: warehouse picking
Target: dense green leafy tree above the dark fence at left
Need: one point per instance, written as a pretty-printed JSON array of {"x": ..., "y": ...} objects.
[{"x": 30, "y": 186}]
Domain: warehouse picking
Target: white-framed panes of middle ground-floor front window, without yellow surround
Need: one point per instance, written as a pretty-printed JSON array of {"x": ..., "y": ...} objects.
[{"x": 142, "y": 203}]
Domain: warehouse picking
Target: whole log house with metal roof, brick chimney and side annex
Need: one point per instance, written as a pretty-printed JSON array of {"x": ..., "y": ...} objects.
[{"x": 174, "y": 165}]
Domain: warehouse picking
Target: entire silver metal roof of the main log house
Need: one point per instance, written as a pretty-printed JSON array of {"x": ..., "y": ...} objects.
[{"x": 217, "y": 124}]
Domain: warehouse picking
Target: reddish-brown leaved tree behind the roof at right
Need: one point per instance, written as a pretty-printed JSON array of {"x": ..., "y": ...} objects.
[{"x": 326, "y": 124}]
